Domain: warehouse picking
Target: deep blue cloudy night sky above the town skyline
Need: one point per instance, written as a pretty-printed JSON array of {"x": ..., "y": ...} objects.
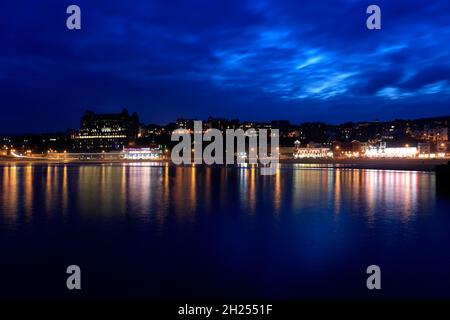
[{"x": 299, "y": 60}]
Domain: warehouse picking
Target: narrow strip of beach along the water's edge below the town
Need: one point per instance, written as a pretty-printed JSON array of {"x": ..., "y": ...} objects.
[{"x": 376, "y": 164}]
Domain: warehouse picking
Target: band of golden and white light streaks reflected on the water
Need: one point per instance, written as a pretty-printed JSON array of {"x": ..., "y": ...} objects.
[{"x": 151, "y": 191}]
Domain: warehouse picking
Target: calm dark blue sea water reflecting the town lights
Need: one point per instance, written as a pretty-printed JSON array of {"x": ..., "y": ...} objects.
[{"x": 155, "y": 231}]
